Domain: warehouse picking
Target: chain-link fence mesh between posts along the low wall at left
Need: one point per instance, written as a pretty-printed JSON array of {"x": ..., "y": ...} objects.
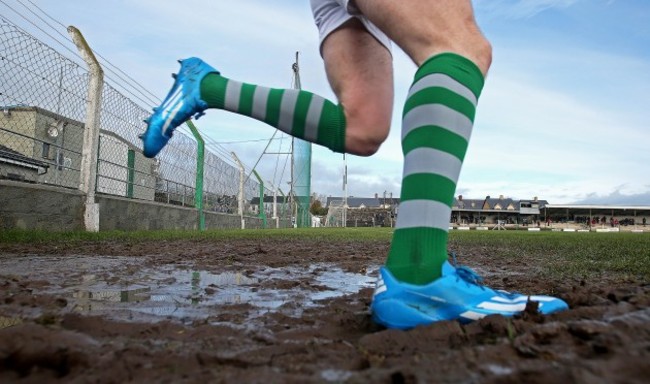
[{"x": 43, "y": 106}]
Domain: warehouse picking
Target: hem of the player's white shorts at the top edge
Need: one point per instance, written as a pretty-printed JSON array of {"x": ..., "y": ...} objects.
[{"x": 331, "y": 14}]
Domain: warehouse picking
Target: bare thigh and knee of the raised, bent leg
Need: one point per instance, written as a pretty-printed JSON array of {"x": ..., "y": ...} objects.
[{"x": 360, "y": 71}]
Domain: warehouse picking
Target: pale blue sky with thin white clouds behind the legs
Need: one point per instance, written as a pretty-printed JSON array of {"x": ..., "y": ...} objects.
[{"x": 564, "y": 115}]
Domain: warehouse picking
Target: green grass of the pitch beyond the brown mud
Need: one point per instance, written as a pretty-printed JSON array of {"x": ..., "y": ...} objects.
[{"x": 557, "y": 254}]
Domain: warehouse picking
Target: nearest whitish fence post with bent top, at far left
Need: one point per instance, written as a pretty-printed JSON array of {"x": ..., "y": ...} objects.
[{"x": 89, "y": 153}]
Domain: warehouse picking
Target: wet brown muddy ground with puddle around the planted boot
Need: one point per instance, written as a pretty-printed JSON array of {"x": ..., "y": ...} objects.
[{"x": 275, "y": 311}]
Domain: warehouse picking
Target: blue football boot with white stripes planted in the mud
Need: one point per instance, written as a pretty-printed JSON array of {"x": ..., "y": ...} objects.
[{"x": 456, "y": 295}]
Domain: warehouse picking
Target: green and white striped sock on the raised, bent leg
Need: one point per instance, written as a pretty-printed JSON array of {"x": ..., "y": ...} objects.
[{"x": 296, "y": 112}]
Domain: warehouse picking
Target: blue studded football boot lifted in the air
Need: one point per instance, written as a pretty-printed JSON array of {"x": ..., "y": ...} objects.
[{"x": 182, "y": 103}]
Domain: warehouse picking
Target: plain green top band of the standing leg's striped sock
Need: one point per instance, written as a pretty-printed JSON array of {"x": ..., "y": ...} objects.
[{"x": 457, "y": 67}]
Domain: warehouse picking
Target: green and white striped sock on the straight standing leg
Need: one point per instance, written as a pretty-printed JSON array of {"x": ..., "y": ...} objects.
[{"x": 436, "y": 127}]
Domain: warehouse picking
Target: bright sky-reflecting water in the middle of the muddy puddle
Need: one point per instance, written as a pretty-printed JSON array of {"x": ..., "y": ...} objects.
[{"x": 176, "y": 292}]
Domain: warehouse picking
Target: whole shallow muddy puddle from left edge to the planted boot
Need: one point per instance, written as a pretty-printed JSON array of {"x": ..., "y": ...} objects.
[{"x": 121, "y": 289}]
